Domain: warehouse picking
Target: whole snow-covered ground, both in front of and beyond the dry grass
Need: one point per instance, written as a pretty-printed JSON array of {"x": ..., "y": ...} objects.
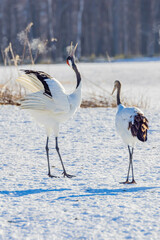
[{"x": 93, "y": 205}]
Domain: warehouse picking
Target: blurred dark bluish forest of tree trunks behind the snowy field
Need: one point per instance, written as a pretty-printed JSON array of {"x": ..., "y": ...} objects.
[{"x": 101, "y": 27}]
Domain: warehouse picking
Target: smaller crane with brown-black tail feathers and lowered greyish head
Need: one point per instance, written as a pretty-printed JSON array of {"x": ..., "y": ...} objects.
[{"x": 131, "y": 125}]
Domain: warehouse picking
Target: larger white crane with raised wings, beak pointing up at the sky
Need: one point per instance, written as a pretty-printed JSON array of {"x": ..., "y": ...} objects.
[{"x": 49, "y": 104}]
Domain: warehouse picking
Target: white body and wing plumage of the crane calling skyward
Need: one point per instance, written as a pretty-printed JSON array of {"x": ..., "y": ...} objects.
[{"x": 49, "y": 111}]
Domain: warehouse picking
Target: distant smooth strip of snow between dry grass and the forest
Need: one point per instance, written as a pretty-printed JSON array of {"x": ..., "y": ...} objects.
[{"x": 140, "y": 80}]
